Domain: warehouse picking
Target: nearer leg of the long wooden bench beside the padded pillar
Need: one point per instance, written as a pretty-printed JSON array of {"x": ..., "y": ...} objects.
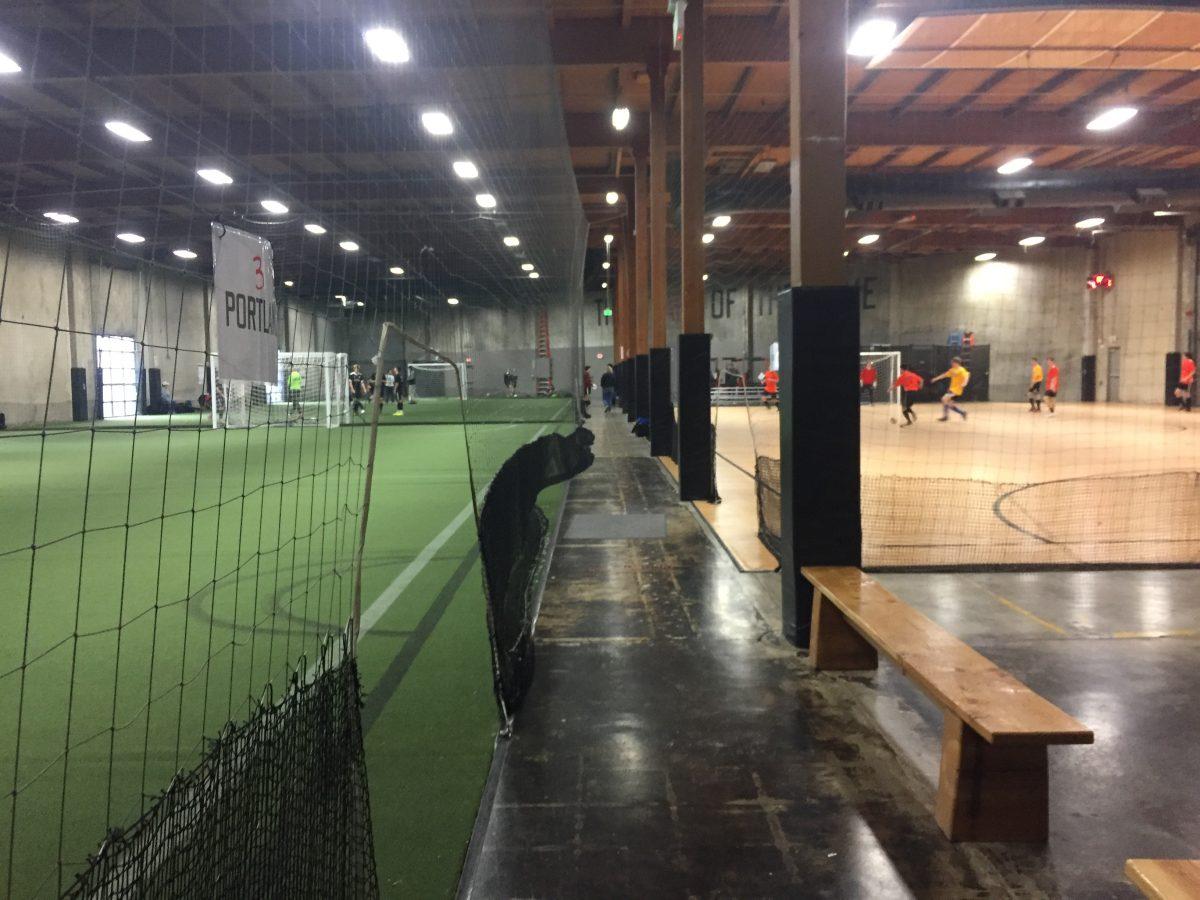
[{"x": 992, "y": 794}]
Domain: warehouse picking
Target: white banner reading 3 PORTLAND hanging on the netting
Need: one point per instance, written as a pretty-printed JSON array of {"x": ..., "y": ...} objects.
[{"x": 244, "y": 301}]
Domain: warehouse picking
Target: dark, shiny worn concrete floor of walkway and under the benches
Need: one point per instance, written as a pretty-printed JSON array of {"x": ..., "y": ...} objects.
[{"x": 675, "y": 746}]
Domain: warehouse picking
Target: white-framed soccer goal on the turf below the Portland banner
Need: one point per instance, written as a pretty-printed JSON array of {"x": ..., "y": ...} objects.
[{"x": 310, "y": 389}]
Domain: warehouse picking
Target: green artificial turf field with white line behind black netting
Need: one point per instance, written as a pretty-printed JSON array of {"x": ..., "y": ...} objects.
[{"x": 212, "y": 561}]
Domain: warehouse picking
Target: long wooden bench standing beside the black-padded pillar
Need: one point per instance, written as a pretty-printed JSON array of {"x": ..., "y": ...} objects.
[{"x": 994, "y": 783}]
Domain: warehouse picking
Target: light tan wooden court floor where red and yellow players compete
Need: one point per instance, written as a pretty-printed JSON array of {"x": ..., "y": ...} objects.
[{"x": 1094, "y": 484}]
